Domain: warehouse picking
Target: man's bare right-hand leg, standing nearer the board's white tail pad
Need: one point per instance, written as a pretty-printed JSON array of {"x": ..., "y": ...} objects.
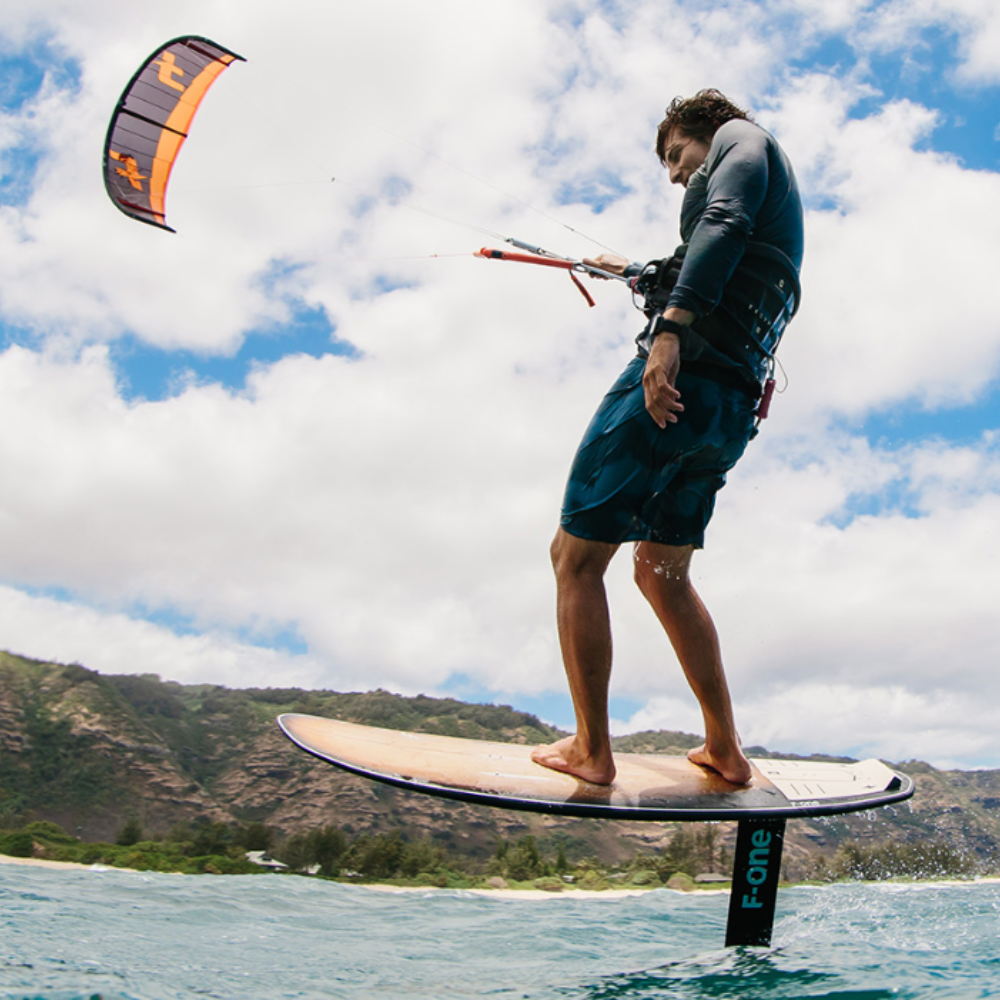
[{"x": 661, "y": 571}]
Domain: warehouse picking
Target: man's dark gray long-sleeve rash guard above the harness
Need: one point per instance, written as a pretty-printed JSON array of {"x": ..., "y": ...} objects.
[{"x": 745, "y": 190}]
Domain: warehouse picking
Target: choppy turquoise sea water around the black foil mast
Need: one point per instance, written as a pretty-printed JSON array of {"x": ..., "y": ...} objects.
[{"x": 75, "y": 935}]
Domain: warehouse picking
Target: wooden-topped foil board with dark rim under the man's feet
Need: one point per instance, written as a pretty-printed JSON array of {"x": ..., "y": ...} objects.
[{"x": 647, "y": 786}]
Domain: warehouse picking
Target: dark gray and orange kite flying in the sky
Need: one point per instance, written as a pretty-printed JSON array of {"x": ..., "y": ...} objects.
[{"x": 151, "y": 122}]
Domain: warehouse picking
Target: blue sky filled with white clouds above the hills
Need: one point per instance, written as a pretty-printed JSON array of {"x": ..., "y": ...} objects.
[{"x": 311, "y": 440}]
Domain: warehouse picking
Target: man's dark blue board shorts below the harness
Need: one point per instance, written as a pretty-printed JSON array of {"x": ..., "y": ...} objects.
[{"x": 634, "y": 481}]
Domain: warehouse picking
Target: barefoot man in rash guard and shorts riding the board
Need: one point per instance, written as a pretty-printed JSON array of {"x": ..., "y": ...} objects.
[{"x": 677, "y": 420}]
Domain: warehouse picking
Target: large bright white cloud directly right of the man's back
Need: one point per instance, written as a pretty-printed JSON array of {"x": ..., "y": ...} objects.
[{"x": 889, "y": 312}]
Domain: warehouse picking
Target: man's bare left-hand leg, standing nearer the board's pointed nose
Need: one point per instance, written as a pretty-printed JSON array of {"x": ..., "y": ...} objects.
[{"x": 585, "y": 639}]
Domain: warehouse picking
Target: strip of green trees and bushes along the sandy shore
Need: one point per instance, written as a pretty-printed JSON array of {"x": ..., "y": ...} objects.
[{"x": 692, "y": 861}]
